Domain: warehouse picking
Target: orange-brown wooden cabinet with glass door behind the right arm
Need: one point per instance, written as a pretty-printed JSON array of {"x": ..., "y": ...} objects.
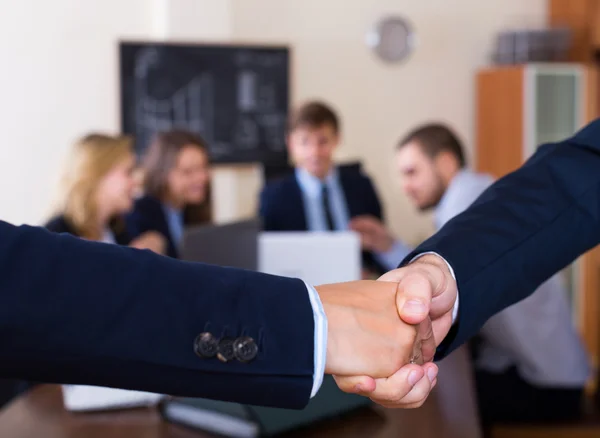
[{"x": 520, "y": 108}]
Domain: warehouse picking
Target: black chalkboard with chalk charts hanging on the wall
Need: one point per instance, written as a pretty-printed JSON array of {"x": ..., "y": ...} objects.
[{"x": 235, "y": 97}]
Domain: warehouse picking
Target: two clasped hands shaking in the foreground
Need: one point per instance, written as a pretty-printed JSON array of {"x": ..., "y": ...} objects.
[{"x": 382, "y": 335}]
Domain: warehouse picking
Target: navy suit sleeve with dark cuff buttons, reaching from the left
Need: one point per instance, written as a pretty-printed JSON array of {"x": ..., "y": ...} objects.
[{"x": 73, "y": 311}]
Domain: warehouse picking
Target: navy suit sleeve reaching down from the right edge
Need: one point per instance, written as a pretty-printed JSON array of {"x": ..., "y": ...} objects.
[{"x": 524, "y": 228}]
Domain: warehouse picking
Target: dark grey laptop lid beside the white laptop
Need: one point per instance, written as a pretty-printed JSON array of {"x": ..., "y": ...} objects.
[{"x": 233, "y": 244}]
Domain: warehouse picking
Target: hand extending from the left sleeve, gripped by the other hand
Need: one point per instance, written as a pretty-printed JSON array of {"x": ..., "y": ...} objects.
[{"x": 365, "y": 333}]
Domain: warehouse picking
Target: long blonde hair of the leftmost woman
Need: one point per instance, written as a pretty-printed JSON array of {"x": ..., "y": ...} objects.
[{"x": 91, "y": 159}]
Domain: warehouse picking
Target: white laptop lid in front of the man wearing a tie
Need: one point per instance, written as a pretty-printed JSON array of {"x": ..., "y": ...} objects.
[{"x": 316, "y": 257}]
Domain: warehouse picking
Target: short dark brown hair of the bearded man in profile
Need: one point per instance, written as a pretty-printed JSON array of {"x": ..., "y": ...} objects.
[{"x": 434, "y": 138}]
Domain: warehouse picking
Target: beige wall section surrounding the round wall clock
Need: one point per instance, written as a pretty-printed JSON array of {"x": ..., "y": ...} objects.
[{"x": 378, "y": 103}]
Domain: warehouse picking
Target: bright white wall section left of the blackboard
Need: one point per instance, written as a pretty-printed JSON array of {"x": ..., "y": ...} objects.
[{"x": 58, "y": 79}]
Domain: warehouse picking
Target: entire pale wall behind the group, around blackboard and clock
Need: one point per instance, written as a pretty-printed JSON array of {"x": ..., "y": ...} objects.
[{"x": 59, "y": 78}]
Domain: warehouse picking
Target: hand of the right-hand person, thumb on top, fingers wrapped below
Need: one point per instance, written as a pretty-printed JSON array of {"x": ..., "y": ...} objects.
[{"x": 426, "y": 289}]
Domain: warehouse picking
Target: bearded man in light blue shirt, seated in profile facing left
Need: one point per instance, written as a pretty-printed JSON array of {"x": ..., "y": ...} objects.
[{"x": 529, "y": 352}]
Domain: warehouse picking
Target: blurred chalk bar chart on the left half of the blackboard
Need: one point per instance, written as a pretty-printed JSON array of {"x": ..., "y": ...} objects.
[{"x": 190, "y": 106}]
